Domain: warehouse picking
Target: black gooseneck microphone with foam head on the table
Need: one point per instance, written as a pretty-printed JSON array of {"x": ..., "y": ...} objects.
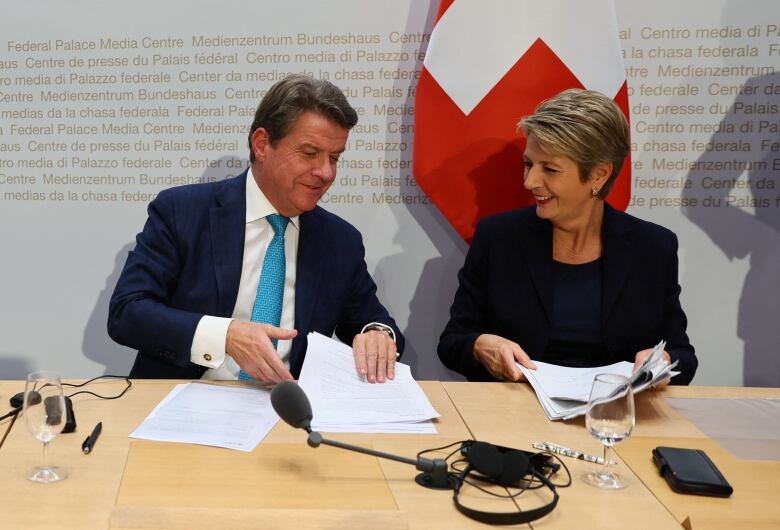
[{"x": 291, "y": 404}]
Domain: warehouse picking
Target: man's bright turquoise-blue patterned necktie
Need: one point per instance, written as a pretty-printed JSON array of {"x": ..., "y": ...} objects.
[{"x": 270, "y": 288}]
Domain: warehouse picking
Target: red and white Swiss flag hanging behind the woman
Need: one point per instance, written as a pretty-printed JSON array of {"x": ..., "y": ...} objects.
[{"x": 489, "y": 64}]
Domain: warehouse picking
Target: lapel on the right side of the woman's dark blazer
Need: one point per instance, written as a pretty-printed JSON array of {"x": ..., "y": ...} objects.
[{"x": 617, "y": 258}]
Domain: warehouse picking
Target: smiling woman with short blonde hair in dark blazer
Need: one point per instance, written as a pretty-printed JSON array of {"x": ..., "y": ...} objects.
[{"x": 569, "y": 281}]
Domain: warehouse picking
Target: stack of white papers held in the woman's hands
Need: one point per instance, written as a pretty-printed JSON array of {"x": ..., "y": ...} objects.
[{"x": 563, "y": 392}]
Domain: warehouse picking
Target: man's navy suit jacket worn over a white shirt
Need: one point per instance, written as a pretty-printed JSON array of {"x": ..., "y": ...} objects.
[{"x": 187, "y": 264}]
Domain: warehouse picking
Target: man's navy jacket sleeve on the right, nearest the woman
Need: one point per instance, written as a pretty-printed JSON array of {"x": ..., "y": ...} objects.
[{"x": 362, "y": 306}]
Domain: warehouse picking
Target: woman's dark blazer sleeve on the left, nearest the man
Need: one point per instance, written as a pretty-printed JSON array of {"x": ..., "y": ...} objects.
[{"x": 468, "y": 313}]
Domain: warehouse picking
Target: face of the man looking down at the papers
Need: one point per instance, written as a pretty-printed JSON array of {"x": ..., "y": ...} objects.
[{"x": 297, "y": 172}]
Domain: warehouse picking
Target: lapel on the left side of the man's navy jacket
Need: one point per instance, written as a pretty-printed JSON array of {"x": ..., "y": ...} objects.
[{"x": 228, "y": 224}]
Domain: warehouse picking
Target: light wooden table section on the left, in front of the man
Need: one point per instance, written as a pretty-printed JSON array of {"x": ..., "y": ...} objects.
[{"x": 284, "y": 483}]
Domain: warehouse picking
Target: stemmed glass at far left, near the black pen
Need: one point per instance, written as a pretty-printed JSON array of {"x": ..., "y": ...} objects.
[{"x": 44, "y": 414}]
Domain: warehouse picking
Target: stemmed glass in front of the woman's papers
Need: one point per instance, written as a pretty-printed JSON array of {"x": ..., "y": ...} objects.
[{"x": 610, "y": 418}]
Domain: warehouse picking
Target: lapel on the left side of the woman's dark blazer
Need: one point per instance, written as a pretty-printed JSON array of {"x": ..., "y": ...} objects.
[{"x": 536, "y": 243}]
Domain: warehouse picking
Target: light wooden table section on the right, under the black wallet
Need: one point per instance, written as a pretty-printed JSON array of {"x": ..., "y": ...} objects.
[{"x": 509, "y": 414}]
